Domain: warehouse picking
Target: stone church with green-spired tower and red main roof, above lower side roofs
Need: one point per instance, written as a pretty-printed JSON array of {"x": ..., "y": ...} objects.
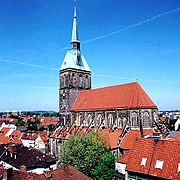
[{"x": 107, "y": 107}]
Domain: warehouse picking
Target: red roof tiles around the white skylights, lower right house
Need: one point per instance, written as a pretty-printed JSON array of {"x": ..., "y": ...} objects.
[{"x": 167, "y": 151}]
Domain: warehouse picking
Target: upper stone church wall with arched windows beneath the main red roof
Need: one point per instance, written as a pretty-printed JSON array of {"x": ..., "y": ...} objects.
[{"x": 115, "y": 118}]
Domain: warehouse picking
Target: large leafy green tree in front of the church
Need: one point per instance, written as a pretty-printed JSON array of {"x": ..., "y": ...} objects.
[{"x": 88, "y": 154}]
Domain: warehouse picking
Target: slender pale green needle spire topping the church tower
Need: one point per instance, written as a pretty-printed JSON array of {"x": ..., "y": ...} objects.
[{"x": 75, "y": 38}]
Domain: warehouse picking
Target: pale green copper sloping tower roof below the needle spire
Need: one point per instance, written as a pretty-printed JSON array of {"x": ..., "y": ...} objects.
[{"x": 71, "y": 61}]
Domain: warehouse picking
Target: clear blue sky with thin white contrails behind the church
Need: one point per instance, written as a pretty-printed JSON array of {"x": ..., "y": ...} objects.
[{"x": 122, "y": 40}]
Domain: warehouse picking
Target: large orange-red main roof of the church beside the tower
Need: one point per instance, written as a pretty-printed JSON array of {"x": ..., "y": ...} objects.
[{"x": 125, "y": 96}]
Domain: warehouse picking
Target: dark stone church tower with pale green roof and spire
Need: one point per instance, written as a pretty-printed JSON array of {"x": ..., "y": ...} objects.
[{"x": 75, "y": 75}]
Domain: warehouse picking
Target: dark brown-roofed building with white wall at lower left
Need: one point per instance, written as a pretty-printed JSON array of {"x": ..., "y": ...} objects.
[{"x": 31, "y": 159}]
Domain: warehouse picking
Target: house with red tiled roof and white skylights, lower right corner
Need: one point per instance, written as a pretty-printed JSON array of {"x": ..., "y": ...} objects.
[{"x": 150, "y": 158}]
